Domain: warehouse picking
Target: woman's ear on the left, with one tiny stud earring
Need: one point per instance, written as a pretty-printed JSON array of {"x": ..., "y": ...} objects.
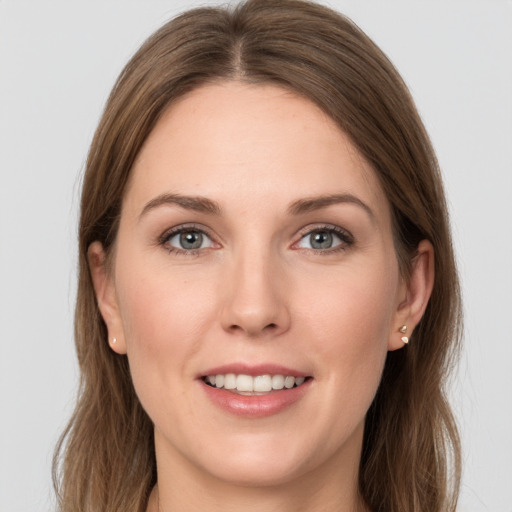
[{"x": 106, "y": 297}]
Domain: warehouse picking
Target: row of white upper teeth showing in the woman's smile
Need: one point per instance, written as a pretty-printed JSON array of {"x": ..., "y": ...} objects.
[{"x": 259, "y": 384}]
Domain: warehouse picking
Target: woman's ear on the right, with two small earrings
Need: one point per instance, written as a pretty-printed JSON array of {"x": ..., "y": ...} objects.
[{"x": 415, "y": 294}]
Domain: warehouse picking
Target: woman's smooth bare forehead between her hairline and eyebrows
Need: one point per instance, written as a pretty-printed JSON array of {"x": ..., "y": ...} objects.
[{"x": 233, "y": 141}]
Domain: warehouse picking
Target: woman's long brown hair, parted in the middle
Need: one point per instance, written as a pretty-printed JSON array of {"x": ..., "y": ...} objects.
[{"x": 410, "y": 461}]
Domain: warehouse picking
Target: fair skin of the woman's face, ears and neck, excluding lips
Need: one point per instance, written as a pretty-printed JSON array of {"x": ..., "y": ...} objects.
[{"x": 257, "y": 291}]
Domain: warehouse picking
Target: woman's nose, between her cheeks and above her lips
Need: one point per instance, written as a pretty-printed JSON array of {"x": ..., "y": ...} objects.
[{"x": 256, "y": 303}]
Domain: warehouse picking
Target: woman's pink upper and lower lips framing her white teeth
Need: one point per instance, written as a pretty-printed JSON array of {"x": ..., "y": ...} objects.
[{"x": 254, "y": 406}]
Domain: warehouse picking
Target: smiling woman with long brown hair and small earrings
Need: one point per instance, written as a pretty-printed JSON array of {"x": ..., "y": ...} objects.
[{"x": 268, "y": 304}]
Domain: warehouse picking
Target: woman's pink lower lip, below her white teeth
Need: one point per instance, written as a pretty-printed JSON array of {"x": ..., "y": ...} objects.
[{"x": 255, "y": 406}]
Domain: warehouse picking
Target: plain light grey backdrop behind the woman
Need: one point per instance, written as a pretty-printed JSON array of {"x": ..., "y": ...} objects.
[{"x": 58, "y": 61}]
